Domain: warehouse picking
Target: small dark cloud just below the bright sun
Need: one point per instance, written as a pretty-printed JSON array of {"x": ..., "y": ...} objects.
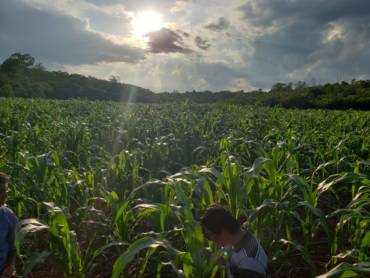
[{"x": 166, "y": 41}]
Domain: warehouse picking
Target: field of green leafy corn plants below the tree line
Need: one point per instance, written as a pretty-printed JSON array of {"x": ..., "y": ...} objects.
[{"x": 115, "y": 190}]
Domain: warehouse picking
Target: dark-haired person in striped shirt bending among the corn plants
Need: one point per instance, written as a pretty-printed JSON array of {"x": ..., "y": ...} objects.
[{"x": 247, "y": 258}]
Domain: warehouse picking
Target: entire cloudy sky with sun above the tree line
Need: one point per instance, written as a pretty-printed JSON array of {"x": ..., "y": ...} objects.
[{"x": 168, "y": 45}]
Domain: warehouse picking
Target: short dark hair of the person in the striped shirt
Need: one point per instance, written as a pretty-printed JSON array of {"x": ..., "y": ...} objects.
[{"x": 218, "y": 219}]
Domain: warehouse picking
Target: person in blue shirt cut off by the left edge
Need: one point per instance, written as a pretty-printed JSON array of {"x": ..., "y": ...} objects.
[{"x": 8, "y": 222}]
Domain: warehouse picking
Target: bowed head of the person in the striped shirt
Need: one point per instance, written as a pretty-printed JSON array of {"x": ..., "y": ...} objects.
[{"x": 219, "y": 225}]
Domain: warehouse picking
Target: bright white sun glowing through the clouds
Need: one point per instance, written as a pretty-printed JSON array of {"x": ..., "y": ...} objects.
[{"x": 146, "y": 22}]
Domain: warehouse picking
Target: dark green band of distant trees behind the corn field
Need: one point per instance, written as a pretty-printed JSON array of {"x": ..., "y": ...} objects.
[{"x": 20, "y": 76}]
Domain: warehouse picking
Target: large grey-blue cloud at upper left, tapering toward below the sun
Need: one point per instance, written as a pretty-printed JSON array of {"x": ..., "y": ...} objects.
[{"x": 53, "y": 37}]
